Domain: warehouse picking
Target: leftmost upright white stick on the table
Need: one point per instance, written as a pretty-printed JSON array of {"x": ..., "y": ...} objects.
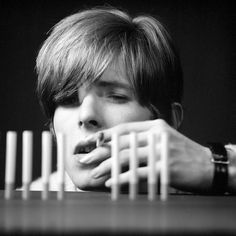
[{"x": 10, "y": 163}]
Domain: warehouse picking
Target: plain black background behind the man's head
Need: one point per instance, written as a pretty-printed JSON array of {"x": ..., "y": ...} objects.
[{"x": 204, "y": 32}]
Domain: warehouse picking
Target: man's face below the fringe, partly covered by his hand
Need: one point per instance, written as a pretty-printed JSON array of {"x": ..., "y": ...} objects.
[{"x": 106, "y": 103}]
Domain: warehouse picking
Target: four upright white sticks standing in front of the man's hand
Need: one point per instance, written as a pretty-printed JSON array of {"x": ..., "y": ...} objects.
[{"x": 154, "y": 167}]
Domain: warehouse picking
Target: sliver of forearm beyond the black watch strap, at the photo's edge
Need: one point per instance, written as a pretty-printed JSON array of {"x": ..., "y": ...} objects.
[{"x": 231, "y": 151}]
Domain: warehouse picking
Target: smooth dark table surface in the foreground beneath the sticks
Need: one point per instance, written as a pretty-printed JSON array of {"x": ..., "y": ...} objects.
[{"x": 95, "y": 213}]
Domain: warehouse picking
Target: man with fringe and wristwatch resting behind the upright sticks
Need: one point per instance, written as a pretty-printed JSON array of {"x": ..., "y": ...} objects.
[{"x": 101, "y": 71}]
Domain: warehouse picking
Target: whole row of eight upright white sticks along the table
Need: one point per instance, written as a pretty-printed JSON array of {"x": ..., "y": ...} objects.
[{"x": 27, "y": 155}]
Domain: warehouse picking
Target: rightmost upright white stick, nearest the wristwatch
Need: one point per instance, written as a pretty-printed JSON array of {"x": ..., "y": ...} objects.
[{"x": 164, "y": 166}]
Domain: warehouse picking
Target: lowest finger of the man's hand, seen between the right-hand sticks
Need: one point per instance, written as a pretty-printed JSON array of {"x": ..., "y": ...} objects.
[{"x": 142, "y": 173}]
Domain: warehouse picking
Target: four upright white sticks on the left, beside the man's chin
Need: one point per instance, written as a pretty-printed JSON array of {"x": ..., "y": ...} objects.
[{"x": 27, "y": 158}]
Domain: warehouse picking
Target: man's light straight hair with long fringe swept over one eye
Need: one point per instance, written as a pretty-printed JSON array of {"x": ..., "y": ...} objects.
[{"x": 81, "y": 46}]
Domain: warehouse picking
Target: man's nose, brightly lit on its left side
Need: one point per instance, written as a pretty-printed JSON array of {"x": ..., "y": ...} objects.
[{"x": 90, "y": 113}]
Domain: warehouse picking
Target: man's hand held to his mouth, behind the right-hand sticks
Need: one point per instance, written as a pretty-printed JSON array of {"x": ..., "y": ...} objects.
[{"x": 190, "y": 167}]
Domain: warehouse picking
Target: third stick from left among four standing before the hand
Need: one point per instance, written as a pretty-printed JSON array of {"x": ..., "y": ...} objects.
[{"x": 152, "y": 176}]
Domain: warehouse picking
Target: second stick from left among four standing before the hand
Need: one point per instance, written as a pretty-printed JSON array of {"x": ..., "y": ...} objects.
[{"x": 133, "y": 165}]
